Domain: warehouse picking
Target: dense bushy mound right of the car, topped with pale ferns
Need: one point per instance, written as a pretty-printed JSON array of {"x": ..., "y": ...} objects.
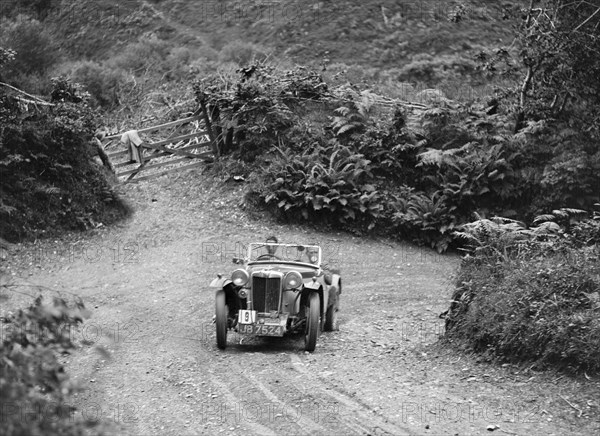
[{"x": 528, "y": 295}]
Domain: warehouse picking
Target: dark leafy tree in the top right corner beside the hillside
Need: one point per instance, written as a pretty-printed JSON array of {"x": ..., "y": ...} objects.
[{"x": 560, "y": 51}]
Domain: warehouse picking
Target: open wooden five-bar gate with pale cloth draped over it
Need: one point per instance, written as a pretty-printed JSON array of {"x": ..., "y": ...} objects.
[{"x": 183, "y": 141}]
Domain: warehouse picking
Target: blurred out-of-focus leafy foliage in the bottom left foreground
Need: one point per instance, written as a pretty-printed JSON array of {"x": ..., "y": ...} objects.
[{"x": 36, "y": 391}]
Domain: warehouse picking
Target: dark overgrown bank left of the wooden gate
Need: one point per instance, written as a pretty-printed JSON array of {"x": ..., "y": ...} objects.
[{"x": 50, "y": 180}]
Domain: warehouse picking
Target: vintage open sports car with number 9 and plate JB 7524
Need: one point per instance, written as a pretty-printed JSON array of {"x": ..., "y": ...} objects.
[{"x": 280, "y": 289}]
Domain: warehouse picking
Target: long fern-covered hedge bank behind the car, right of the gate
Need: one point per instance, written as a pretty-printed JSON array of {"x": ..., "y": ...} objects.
[{"x": 430, "y": 170}]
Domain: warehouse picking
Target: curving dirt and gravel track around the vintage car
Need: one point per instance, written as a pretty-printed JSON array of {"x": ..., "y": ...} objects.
[{"x": 148, "y": 362}]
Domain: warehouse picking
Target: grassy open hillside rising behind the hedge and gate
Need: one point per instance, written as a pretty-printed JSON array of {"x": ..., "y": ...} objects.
[{"x": 386, "y": 41}]
